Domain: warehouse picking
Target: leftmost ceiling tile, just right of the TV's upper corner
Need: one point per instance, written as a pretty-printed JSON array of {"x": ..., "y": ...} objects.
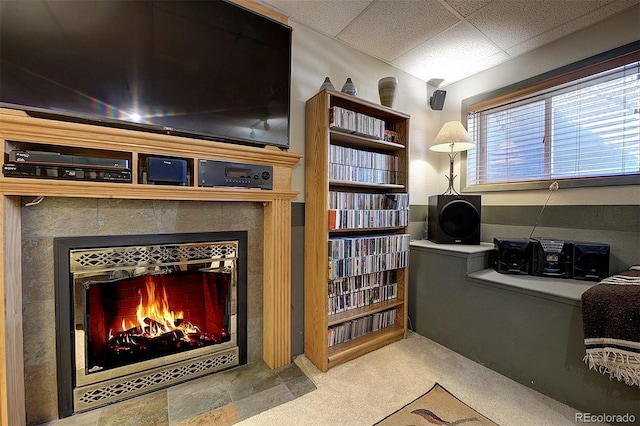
[{"x": 324, "y": 16}]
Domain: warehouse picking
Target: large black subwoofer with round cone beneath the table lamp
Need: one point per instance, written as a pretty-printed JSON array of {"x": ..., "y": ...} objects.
[{"x": 454, "y": 219}]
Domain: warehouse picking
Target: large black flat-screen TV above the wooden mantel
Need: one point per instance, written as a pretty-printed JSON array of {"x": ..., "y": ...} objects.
[{"x": 206, "y": 69}]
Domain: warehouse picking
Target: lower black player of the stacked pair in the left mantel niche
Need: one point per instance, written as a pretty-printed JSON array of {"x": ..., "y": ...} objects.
[{"x": 66, "y": 172}]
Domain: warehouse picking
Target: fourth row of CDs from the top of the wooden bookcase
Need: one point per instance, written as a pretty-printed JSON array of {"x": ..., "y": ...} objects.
[{"x": 363, "y": 255}]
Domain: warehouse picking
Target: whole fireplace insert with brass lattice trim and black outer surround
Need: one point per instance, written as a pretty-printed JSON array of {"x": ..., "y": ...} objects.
[{"x": 137, "y": 313}]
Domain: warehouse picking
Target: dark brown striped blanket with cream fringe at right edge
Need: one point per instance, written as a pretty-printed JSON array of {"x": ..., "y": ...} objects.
[{"x": 611, "y": 321}]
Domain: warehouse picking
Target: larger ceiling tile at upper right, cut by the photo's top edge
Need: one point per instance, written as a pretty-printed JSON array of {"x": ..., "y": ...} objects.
[{"x": 511, "y": 22}]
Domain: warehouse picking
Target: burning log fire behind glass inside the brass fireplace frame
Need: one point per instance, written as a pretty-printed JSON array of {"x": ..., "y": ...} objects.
[{"x": 140, "y": 318}]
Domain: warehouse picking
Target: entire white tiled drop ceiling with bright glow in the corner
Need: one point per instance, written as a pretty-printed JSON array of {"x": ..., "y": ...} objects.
[{"x": 443, "y": 41}]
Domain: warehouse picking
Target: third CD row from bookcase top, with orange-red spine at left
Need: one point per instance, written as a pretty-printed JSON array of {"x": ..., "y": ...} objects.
[{"x": 349, "y": 210}]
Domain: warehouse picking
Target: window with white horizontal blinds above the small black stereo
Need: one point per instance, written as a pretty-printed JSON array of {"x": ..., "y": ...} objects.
[{"x": 585, "y": 127}]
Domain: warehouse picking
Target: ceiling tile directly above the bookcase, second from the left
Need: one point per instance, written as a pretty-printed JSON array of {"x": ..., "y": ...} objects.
[{"x": 389, "y": 28}]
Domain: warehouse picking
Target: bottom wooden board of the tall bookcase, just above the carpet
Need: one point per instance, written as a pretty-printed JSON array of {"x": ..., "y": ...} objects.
[{"x": 369, "y": 342}]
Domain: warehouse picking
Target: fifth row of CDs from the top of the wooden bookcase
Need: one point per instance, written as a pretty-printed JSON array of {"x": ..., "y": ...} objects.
[{"x": 361, "y": 290}]
